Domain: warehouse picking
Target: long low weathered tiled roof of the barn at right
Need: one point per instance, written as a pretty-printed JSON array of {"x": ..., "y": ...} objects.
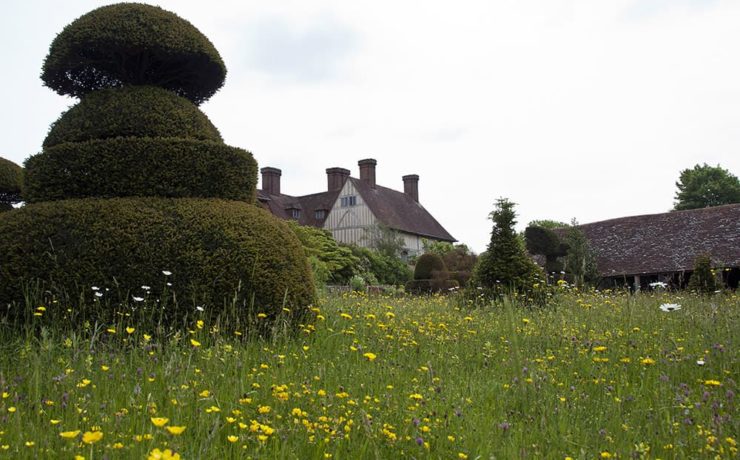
[{"x": 668, "y": 242}]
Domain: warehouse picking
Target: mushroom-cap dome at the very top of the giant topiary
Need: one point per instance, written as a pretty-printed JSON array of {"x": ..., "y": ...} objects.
[{"x": 133, "y": 44}]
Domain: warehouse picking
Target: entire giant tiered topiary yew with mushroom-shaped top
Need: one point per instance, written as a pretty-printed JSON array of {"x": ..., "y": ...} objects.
[{"x": 135, "y": 179}]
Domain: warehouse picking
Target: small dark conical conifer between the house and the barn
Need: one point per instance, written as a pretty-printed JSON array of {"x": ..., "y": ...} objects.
[{"x": 506, "y": 261}]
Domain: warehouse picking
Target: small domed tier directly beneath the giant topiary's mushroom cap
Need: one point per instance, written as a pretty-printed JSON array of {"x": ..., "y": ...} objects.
[{"x": 136, "y": 111}]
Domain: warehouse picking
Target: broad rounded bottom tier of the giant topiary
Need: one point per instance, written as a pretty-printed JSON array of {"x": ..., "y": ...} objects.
[{"x": 209, "y": 245}]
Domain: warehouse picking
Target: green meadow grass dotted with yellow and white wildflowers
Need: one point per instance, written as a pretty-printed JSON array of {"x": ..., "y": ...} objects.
[{"x": 593, "y": 375}]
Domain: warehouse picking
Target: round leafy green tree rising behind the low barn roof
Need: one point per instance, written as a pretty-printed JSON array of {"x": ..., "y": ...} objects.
[{"x": 704, "y": 186}]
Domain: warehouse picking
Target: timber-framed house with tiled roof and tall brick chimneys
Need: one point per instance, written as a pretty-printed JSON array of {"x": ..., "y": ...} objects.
[{"x": 351, "y": 207}]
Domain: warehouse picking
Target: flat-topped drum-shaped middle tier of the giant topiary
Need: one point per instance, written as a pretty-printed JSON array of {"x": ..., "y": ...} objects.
[{"x": 141, "y": 167}]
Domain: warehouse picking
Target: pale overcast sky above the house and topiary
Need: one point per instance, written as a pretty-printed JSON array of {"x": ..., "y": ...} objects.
[{"x": 582, "y": 108}]
